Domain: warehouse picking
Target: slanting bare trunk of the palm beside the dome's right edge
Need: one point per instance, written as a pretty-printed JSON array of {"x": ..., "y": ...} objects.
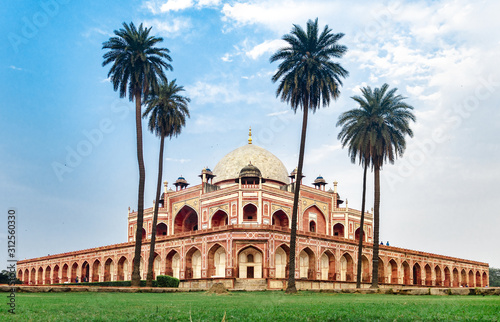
[{"x": 293, "y": 235}]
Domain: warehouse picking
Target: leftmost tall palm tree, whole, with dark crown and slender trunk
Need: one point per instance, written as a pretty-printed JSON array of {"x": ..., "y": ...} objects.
[{"x": 137, "y": 67}]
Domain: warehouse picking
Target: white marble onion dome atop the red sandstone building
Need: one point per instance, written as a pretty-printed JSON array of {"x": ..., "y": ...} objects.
[{"x": 270, "y": 166}]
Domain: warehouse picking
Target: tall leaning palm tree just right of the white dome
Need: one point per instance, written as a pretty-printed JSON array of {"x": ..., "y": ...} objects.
[{"x": 308, "y": 79}]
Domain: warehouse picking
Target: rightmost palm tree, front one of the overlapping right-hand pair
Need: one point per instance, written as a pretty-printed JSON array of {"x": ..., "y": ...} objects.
[{"x": 387, "y": 121}]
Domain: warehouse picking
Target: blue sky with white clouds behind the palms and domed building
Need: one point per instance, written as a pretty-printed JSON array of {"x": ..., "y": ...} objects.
[{"x": 56, "y": 100}]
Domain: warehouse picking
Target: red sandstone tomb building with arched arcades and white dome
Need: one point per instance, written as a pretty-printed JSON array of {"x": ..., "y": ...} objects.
[{"x": 234, "y": 227}]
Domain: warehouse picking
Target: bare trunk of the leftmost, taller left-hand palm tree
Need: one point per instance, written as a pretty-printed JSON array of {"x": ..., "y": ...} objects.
[{"x": 136, "y": 277}]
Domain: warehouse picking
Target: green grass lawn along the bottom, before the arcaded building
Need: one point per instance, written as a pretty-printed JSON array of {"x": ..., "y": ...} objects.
[{"x": 249, "y": 306}]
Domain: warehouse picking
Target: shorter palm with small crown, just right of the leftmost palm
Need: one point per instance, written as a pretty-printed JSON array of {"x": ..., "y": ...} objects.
[{"x": 168, "y": 110}]
